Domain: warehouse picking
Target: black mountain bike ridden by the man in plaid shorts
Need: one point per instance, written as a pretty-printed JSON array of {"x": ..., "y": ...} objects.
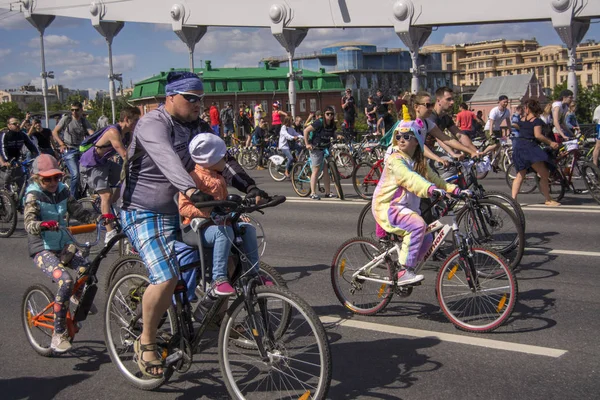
[{"x": 271, "y": 343}]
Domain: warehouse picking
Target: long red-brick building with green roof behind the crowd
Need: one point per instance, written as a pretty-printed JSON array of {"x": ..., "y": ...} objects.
[{"x": 263, "y": 85}]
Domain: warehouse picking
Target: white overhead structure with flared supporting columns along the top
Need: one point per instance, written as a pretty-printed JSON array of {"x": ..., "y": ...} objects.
[{"x": 290, "y": 20}]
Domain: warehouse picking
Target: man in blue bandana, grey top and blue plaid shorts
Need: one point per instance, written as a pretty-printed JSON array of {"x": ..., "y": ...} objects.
[{"x": 158, "y": 168}]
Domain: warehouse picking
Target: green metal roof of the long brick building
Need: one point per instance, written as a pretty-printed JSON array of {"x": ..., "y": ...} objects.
[{"x": 242, "y": 80}]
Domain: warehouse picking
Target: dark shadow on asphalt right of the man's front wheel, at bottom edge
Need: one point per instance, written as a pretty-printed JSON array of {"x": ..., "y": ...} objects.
[{"x": 379, "y": 364}]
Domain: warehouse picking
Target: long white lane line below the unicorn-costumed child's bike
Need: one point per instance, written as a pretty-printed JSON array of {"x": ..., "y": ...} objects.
[{"x": 447, "y": 337}]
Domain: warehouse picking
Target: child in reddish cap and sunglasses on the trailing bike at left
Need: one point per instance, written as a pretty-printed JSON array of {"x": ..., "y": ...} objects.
[{"x": 47, "y": 202}]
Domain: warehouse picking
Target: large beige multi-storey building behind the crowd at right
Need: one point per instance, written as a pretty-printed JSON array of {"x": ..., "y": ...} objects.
[{"x": 473, "y": 62}]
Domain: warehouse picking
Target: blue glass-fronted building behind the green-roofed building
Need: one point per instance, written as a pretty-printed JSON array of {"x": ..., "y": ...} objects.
[{"x": 364, "y": 68}]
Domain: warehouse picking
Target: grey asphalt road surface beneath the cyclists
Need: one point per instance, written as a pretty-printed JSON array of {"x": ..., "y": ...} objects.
[{"x": 548, "y": 349}]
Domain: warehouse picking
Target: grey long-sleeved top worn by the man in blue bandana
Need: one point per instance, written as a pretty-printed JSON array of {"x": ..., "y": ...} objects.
[{"x": 163, "y": 170}]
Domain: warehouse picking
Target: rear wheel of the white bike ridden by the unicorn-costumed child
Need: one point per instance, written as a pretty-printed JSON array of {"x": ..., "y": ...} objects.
[{"x": 358, "y": 293}]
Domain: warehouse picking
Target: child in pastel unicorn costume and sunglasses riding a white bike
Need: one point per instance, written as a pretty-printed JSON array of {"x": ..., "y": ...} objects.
[{"x": 405, "y": 179}]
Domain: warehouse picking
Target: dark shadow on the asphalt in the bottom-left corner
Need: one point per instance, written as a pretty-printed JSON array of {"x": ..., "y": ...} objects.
[{"x": 35, "y": 388}]
